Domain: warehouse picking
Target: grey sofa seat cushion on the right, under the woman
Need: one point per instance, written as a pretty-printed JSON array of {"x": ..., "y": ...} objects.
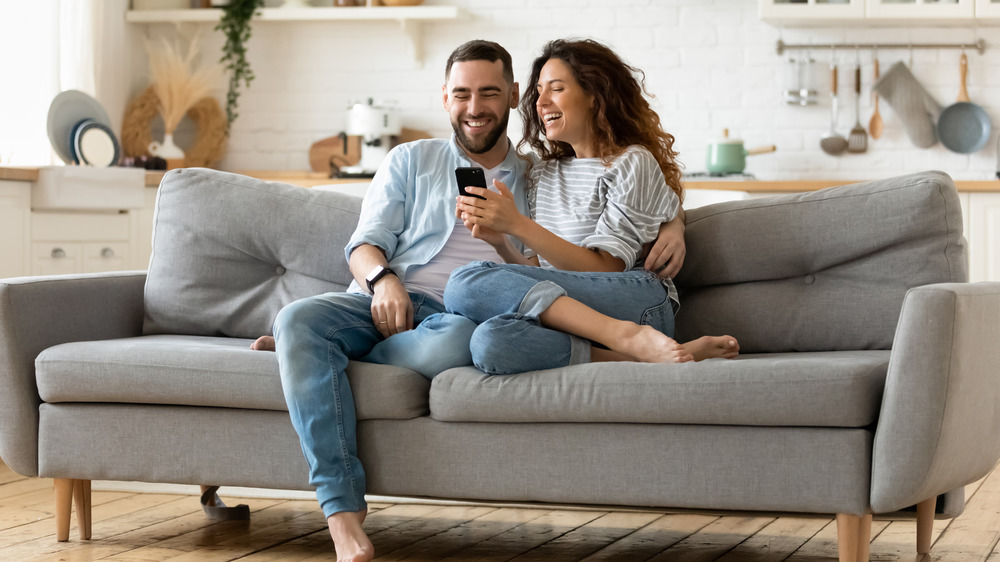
[{"x": 820, "y": 389}]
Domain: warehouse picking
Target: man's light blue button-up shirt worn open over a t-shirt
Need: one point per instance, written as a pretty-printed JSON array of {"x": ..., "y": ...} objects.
[{"x": 409, "y": 208}]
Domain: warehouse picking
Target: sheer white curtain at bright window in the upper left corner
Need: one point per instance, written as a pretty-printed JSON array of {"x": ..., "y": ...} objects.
[{"x": 48, "y": 46}]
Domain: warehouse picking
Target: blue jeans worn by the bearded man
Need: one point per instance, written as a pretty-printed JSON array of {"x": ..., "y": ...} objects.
[{"x": 315, "y": 338}]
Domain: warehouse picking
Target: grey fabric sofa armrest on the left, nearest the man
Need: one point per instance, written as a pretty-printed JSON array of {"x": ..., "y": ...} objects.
[{"x": 39, "y": 312}]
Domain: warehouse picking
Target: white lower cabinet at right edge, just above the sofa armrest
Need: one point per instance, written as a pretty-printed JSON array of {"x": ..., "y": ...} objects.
[{"x": 983, "y": 226}]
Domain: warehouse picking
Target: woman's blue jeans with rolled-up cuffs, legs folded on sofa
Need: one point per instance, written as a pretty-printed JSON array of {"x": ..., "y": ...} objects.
[{"x": 506, "y": 301}]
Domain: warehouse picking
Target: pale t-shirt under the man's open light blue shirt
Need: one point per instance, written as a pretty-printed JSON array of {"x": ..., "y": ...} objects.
[{"x": 460, "y": 249}]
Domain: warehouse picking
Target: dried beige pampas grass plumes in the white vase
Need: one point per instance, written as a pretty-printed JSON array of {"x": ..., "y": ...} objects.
[{"x": 178, "y": 80}]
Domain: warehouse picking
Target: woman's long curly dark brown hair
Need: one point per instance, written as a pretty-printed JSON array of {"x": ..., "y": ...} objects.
[{"x": 622, "y": 115}]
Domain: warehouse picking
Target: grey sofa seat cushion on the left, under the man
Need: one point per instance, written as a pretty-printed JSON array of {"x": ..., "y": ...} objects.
[{"x": 207, "y": 371}]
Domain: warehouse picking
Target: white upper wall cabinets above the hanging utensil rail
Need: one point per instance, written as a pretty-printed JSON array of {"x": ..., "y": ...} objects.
[{"x": 873, "y": 12}]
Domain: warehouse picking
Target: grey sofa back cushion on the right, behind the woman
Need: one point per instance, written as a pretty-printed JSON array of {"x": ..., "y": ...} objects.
[{"x": 819, "y": 271}]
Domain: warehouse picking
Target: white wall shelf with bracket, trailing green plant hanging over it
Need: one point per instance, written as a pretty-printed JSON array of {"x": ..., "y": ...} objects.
[{"x": 409, "y": 18}]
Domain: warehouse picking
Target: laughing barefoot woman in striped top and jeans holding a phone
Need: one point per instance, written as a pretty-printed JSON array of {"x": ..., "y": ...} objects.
[{"x": 605, "y": 180}]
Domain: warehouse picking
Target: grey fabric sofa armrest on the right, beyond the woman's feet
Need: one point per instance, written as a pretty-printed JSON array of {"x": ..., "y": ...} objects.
[{"x": 939, "y": 427}]
